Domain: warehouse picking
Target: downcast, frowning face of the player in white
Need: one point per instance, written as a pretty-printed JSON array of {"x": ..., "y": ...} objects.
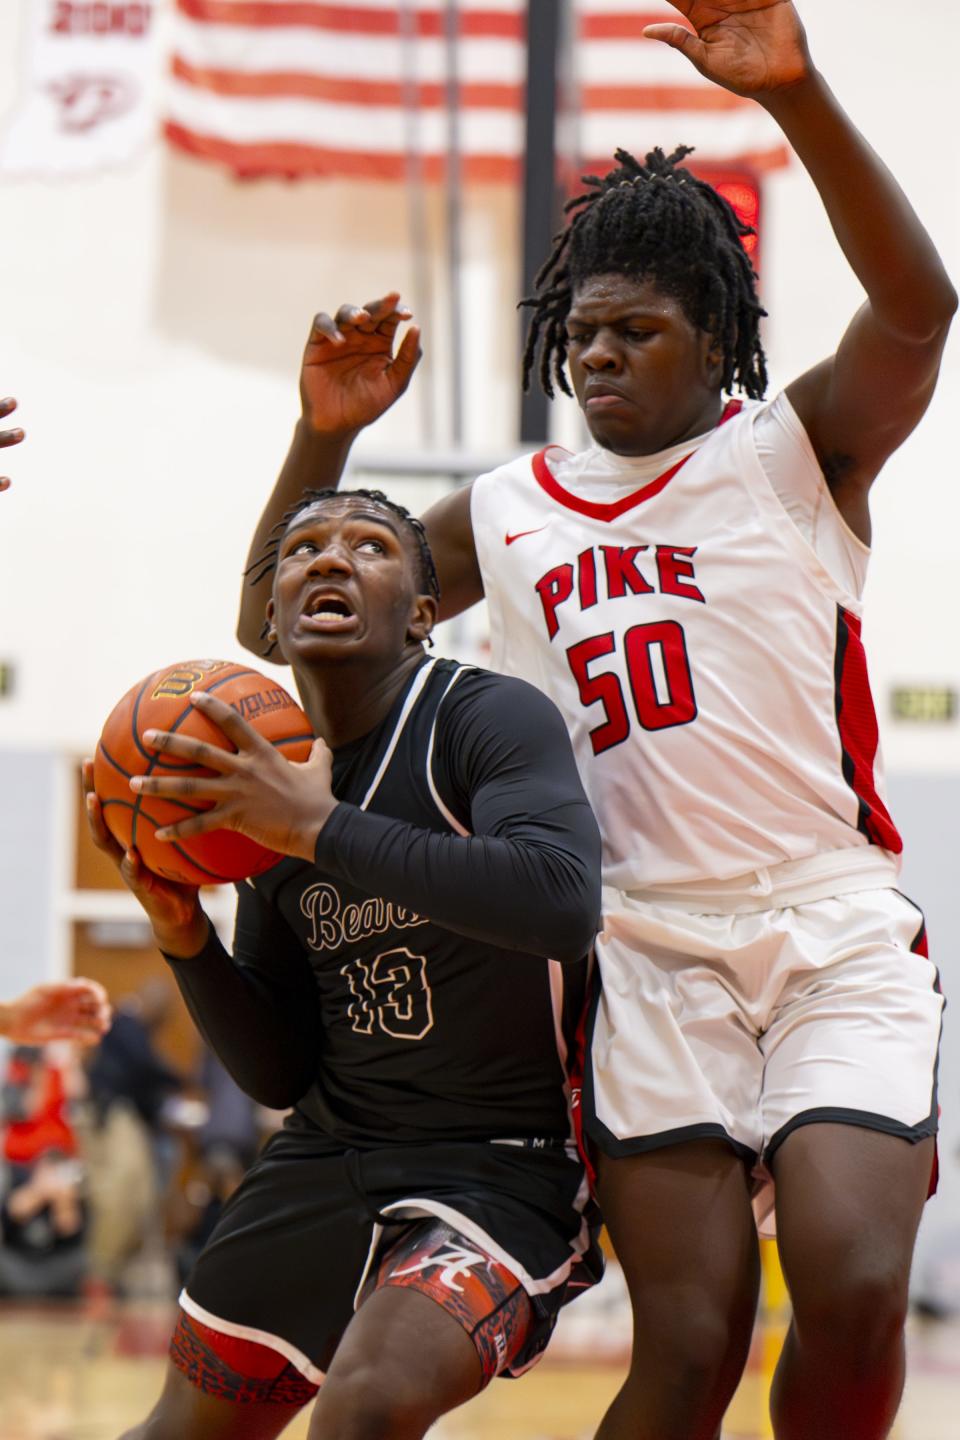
[{"x": 646, "y": 377}]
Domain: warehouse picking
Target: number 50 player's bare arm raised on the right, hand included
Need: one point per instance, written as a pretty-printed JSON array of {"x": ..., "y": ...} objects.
[{"x": 864, "y": 401}]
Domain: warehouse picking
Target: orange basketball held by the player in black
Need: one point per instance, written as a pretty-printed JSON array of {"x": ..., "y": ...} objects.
[{"x": 162, "y": 702}]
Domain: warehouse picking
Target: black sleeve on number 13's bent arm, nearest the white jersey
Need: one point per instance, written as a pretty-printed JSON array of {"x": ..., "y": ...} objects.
[{"x": 529, "y": 878}]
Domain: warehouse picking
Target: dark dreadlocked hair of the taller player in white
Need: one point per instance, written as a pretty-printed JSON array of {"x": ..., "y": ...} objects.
[{"x": 658, "y": 222}]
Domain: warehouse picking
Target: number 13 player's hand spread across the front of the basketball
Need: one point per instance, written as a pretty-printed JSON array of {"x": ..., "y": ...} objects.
[{"x": 257, "y": 791}]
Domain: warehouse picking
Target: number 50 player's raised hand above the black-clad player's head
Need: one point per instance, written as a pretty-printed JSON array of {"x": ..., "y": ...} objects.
[{"x": 350, "y": 374}]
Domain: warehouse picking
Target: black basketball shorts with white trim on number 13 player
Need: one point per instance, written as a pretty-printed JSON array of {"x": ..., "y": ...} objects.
[{"x": 304, "y": 1241}]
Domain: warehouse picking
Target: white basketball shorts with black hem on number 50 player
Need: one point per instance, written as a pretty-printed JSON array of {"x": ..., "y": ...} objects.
[{"x": 745, "y": 1027}]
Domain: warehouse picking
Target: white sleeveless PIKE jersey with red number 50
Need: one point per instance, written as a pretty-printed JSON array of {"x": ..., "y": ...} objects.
[{"x": 709, "y": 666}]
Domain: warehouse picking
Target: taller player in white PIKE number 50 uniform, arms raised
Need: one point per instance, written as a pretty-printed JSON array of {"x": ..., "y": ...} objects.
[{"x": 689, "y": 593}]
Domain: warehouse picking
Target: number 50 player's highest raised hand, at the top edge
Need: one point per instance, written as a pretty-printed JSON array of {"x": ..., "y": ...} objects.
[{"x": 749, "y": 47}]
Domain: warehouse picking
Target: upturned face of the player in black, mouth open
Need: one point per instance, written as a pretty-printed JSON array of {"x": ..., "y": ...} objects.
[{"x": 346, "y": 585}]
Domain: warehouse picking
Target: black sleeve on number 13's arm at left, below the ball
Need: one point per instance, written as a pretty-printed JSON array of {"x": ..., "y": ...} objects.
[{"x": 260, "y": 1010}]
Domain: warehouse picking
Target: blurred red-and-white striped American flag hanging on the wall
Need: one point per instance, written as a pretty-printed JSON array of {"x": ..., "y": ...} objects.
[{"x": 307, "y": 89}]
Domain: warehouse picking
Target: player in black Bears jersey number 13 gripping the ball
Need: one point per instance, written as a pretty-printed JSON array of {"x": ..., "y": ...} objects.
[{"x": 411, "y": 983}]
